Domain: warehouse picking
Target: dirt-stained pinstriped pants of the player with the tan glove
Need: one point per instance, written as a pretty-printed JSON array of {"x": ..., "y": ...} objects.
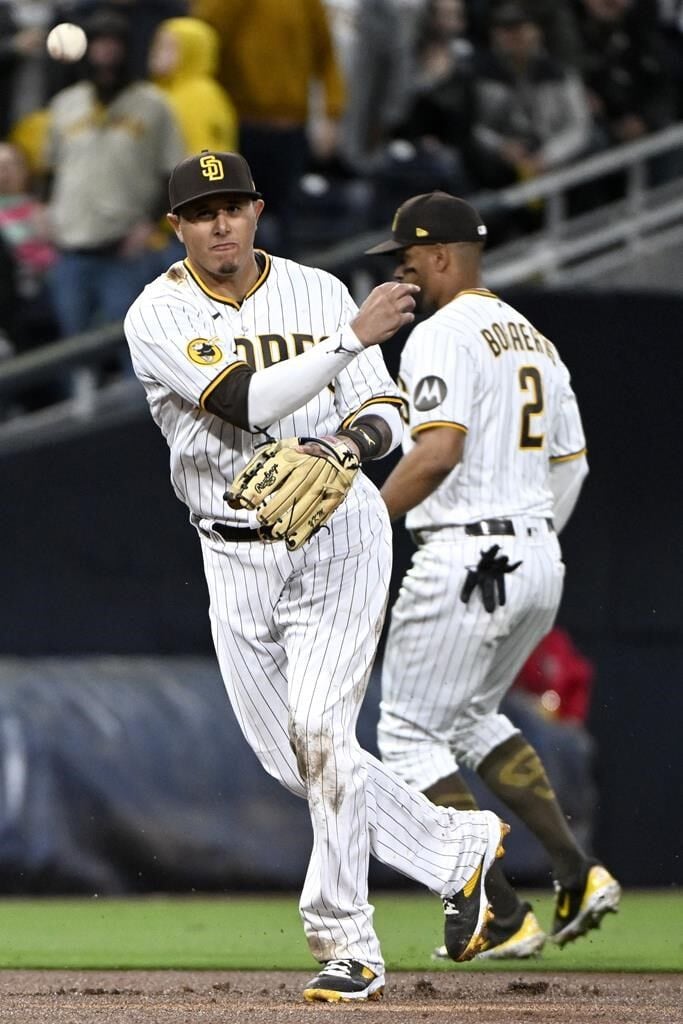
[{"x": 296, "y": 635}]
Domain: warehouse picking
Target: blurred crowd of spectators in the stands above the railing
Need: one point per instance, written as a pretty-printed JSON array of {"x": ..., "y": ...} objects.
[{"x": 344, "y": 109}]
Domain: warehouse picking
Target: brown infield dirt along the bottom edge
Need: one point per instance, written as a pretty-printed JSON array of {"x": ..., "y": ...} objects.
[{"x": 260, "y": 998}]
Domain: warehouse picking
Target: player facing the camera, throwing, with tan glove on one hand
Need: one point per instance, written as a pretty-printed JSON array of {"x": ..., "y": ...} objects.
[{"x": 268, "y": 383}]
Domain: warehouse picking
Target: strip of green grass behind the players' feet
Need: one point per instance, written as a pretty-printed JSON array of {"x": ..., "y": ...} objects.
[{"x": 252, "y": 932}]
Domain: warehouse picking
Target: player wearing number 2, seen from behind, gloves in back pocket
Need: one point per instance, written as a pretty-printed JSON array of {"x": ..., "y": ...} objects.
[{"x": 495, "y": 458}]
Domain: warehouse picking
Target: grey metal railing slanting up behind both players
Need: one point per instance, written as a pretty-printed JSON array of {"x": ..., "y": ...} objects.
[{"x": 567, "y": 249}]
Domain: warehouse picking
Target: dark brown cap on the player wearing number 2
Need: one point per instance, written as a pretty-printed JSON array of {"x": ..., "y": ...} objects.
[{"x": 425, "y": 221}]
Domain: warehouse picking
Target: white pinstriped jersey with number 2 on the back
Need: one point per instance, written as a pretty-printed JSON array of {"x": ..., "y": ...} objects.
[{"x": 481, "y": 367}]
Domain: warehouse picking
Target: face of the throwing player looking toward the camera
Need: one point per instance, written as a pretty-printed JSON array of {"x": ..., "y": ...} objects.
[{"x": 219, "y": 233}]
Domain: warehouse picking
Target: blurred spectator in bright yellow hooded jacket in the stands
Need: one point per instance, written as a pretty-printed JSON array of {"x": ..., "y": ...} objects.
[{"x": 184, "y": 59}]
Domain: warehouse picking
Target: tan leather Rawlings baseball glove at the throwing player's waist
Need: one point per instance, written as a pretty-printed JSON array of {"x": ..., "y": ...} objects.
[{"x": 295, "y": 486}]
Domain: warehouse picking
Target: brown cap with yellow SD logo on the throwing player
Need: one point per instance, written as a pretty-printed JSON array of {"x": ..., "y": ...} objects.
[{"x": 210, "y": 174}]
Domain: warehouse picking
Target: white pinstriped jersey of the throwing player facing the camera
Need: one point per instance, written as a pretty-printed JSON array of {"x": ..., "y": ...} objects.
[{"x": 185, "y": 338}]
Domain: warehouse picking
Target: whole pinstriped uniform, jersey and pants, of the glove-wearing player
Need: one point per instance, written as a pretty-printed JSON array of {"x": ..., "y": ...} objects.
[{"x": 296, "y": 631}]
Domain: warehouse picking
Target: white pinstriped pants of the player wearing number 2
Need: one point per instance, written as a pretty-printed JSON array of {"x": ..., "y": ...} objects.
[{"x": 448, "y": 665}]
